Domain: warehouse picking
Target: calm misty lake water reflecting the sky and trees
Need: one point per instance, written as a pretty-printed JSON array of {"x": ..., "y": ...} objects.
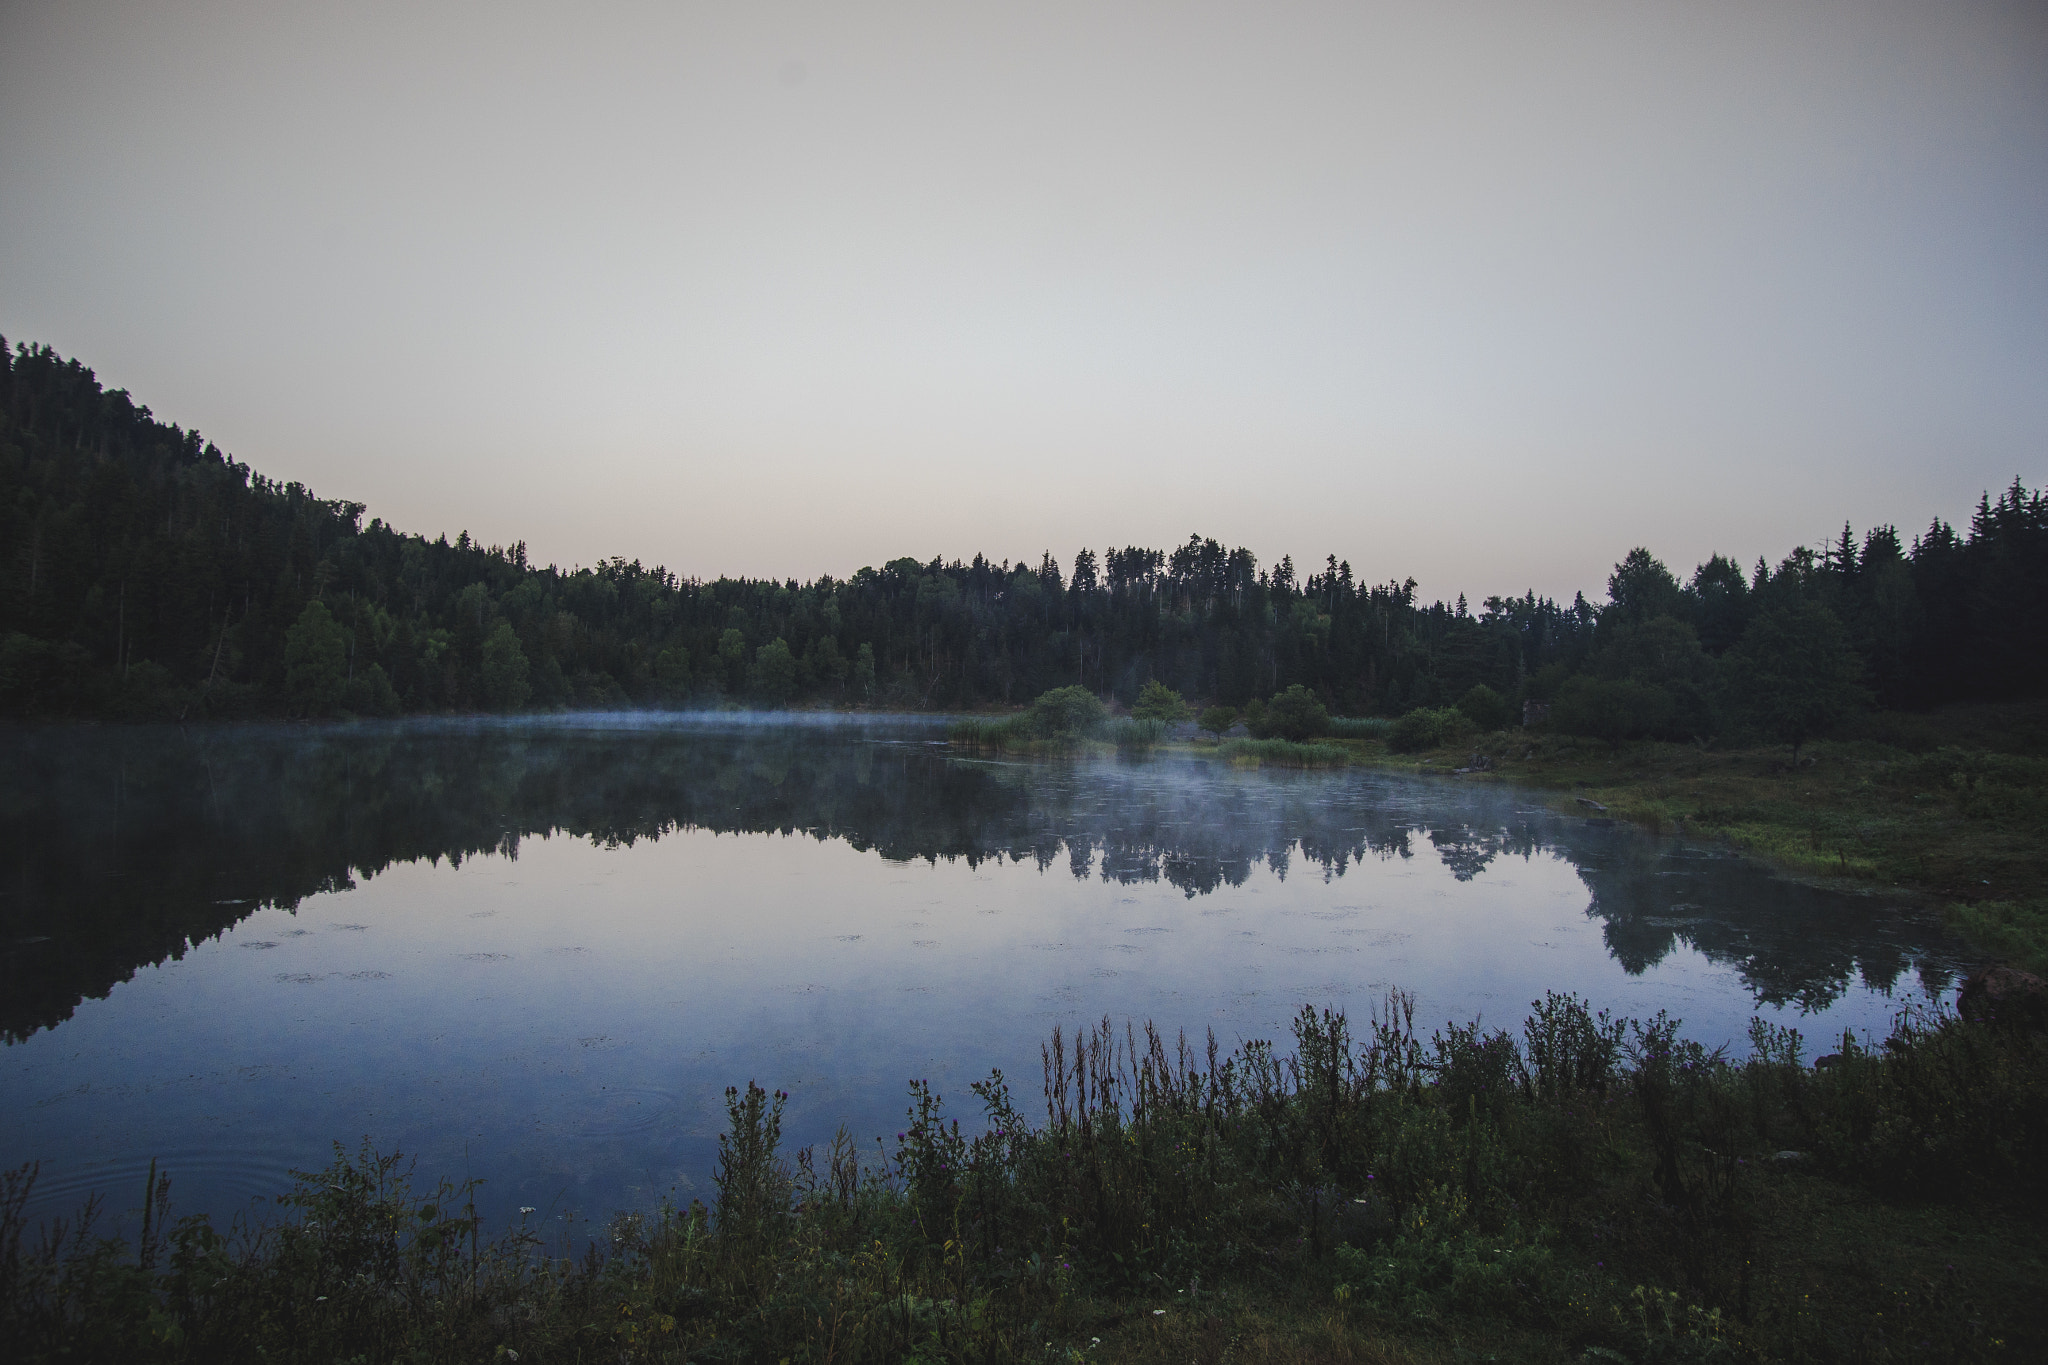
[{"x": 538, "y": 953}]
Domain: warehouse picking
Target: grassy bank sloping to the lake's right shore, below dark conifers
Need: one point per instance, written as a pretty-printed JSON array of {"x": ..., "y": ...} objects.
[{"x": 1951, "y": 805}]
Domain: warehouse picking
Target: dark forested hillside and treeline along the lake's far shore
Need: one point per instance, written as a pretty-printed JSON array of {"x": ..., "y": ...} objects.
[{"x": 151, "y": 576}]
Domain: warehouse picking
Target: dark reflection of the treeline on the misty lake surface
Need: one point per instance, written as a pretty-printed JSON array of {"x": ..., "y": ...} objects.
[{"x": 144, "y": 840}]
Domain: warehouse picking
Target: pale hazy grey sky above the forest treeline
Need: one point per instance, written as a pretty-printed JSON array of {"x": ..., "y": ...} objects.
[{"x": 1480, "y": 294}]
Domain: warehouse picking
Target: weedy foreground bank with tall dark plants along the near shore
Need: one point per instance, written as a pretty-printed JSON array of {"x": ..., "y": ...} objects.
[{"x": 1582, "y": 1190}]
